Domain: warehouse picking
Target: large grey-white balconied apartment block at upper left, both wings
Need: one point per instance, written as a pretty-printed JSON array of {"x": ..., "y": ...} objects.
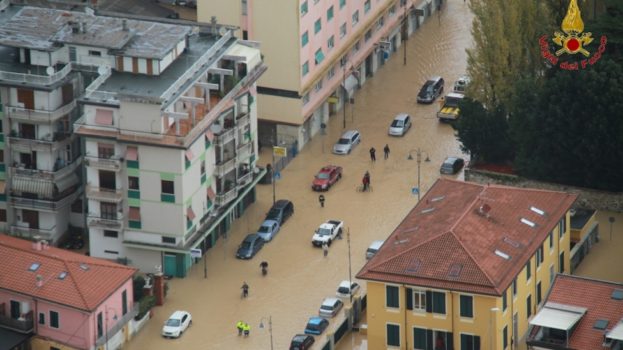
[{"x": 167, "y": 124}]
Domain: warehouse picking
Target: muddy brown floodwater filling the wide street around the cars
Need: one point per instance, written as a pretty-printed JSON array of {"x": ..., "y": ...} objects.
[{"x": 299, "y": 276}]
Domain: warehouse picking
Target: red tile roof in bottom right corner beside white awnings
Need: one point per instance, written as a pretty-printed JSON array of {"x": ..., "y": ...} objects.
[{"x": 594, "y": 295}]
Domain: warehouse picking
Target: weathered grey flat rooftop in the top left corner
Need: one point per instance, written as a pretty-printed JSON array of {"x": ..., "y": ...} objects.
[{"x": 46, "y": 29}]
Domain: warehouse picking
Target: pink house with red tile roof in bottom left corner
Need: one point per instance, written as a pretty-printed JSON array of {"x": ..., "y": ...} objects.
[{"x": 51, "y": 298}]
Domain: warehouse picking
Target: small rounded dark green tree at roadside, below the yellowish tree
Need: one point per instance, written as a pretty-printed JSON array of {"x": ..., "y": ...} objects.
[{"x": 483, "y": 133}]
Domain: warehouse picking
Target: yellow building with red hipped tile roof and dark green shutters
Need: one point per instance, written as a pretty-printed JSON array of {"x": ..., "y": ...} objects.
[{"x": 467, "y": 268}]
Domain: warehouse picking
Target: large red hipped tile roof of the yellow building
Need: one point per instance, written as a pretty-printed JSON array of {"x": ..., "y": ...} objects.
[{"x": 445, "y": 242}]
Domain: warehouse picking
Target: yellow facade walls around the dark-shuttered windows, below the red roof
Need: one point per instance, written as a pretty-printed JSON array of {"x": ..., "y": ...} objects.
[{"x": 489, "y": 315}]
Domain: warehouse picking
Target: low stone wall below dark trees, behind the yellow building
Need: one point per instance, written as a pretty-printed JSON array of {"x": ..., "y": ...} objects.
[{"x": 587, "y": 198}]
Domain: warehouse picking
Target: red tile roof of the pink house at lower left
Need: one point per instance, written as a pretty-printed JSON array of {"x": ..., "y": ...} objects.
[{"x": 89, "y": 281}]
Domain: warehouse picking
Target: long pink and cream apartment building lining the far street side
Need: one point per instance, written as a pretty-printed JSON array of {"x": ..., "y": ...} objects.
[{"x": 320, "y": 53}]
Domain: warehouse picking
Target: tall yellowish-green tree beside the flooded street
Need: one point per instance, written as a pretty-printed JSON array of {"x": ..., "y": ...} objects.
[{"x": 506, "y": 47}]
